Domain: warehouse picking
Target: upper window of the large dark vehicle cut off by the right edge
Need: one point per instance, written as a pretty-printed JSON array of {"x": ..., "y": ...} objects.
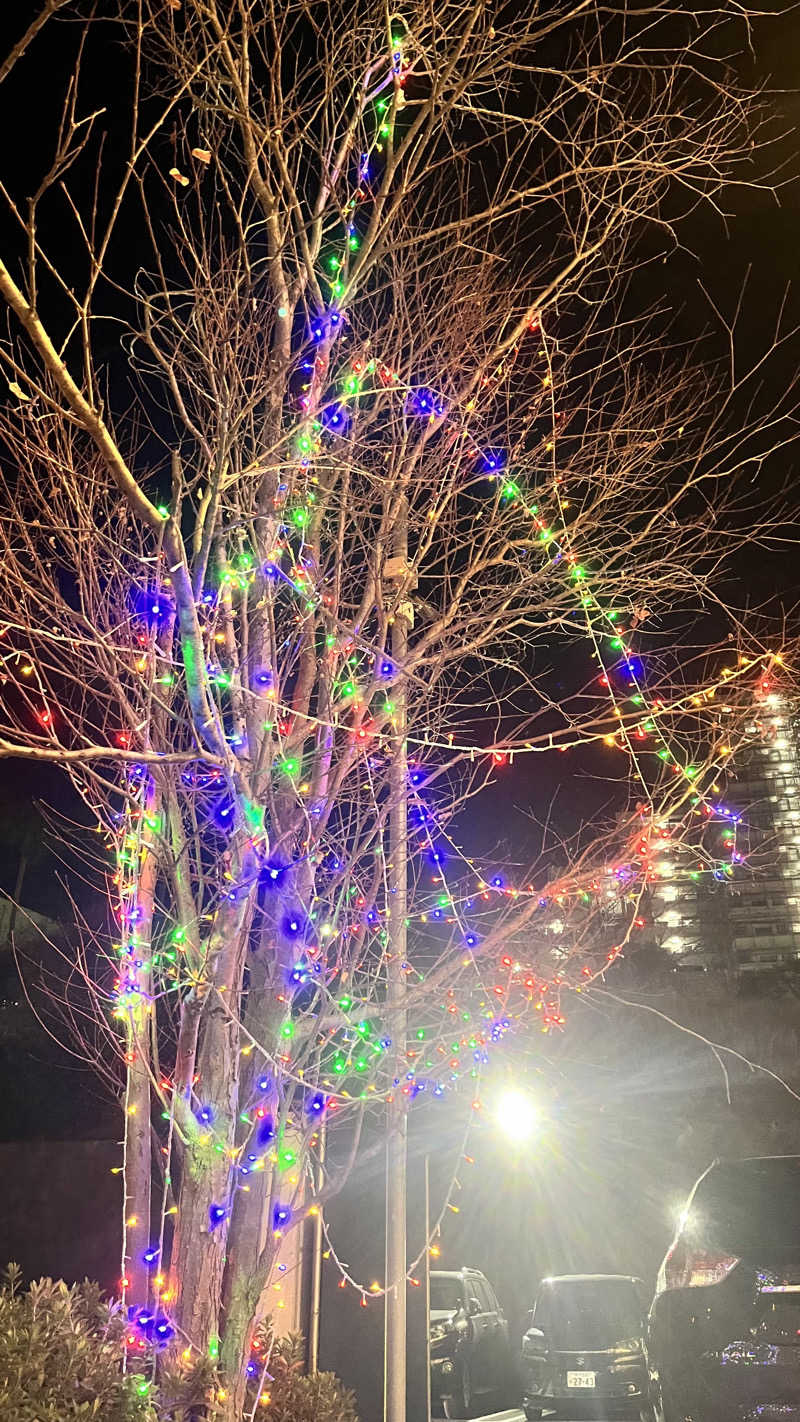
[{"x": 748, "y": 1204}]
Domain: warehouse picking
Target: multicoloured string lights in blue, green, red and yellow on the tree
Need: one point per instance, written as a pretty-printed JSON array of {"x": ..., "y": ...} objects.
[{"x": 465, "y": 1026}]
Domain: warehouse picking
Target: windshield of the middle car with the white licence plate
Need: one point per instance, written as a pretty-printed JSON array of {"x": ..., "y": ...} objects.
[{"x": 589, "y": 1315}]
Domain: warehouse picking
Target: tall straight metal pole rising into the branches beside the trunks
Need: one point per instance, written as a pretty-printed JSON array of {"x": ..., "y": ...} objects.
[{"x": 397, "y": 1121}]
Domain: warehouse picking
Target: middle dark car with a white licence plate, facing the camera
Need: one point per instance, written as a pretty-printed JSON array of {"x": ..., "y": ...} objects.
[{"x": 586, "y": 1350}]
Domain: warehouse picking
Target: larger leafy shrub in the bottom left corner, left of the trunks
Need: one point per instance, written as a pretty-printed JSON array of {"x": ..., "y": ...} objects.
[{"x": 60, "y": 1350}]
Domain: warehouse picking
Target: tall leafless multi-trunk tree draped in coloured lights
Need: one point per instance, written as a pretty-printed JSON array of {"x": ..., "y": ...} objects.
[{"x": 335, "y": 423}]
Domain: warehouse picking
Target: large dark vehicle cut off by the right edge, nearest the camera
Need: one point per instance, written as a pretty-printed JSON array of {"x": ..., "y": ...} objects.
[{"x": 725, "y": 1322}]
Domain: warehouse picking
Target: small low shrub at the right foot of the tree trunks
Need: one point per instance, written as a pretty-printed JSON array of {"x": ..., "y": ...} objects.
[{"x": 293, "y": 1396}]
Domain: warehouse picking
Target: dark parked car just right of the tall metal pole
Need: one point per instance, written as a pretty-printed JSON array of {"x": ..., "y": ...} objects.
[{"x": 471, "y": 1354}]
